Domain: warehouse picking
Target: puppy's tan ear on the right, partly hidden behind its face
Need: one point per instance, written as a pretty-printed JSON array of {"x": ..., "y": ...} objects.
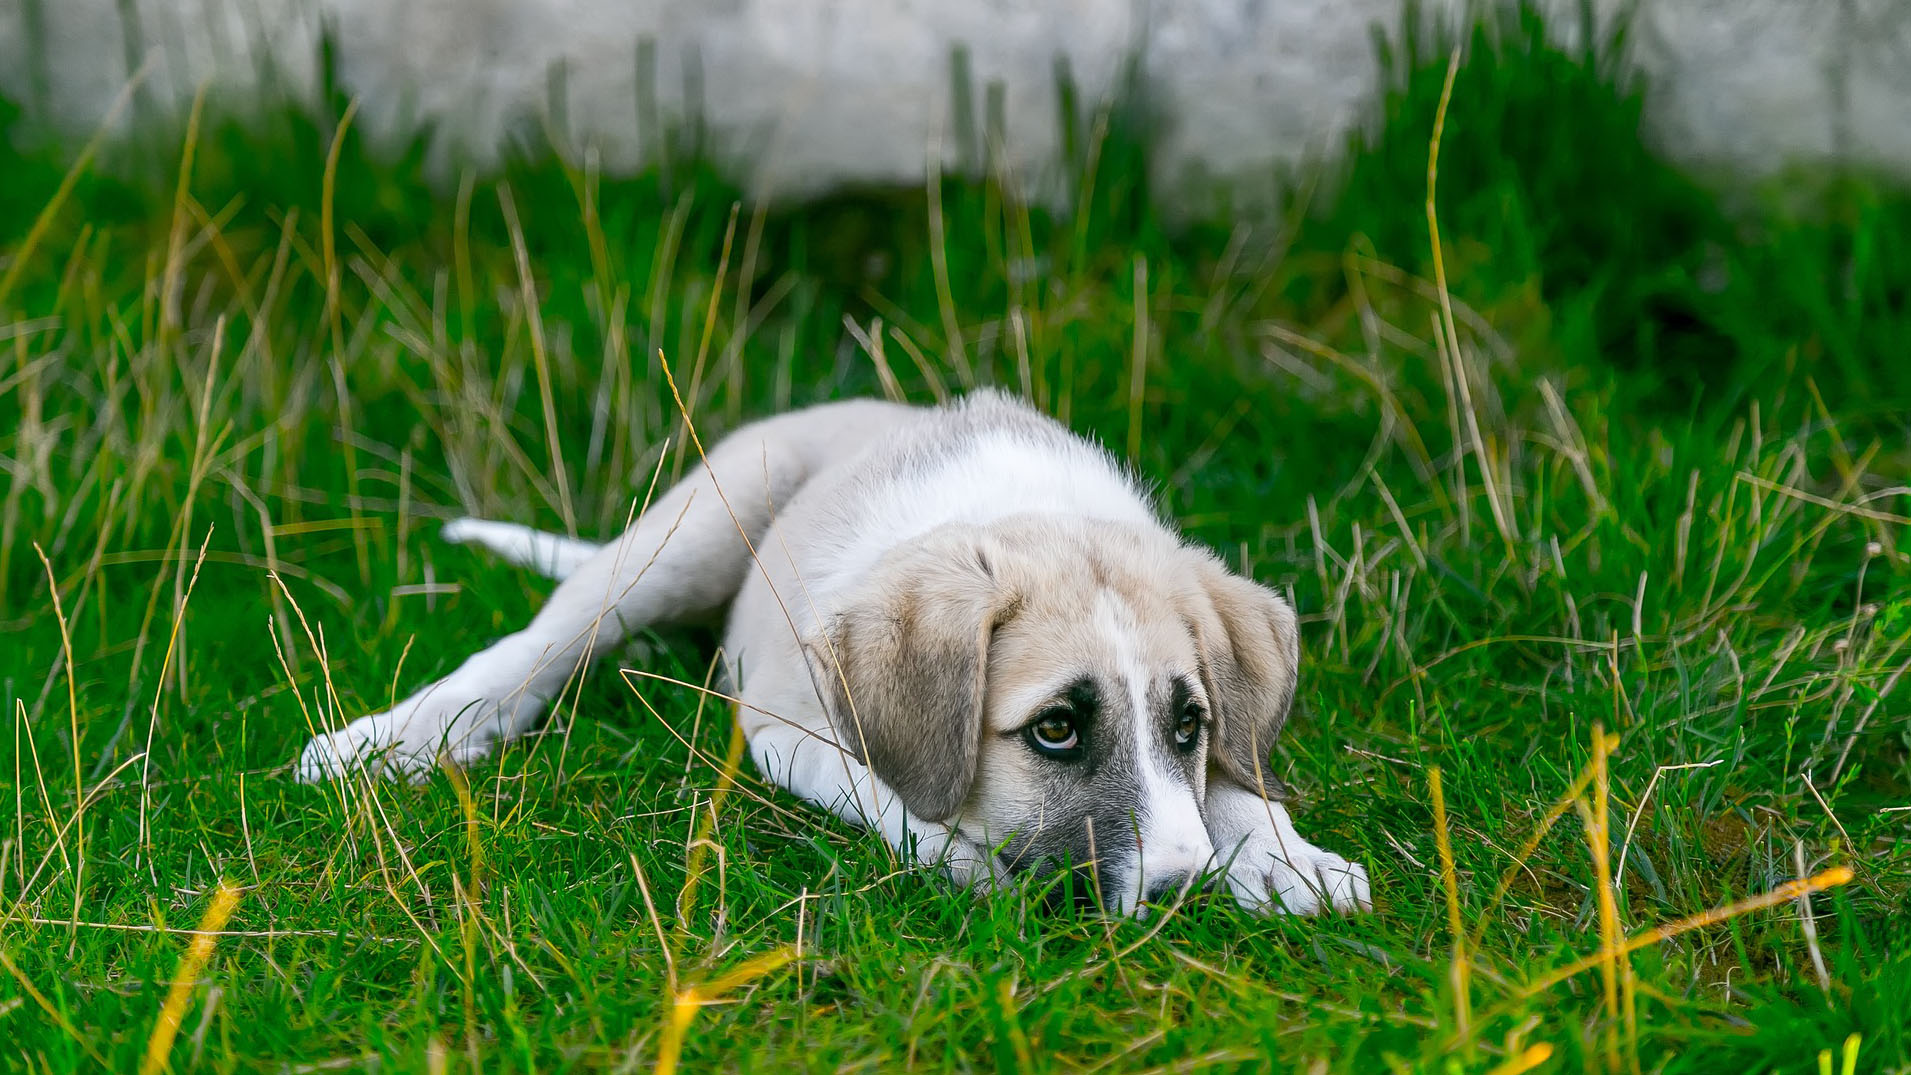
[{"x": 1251, "y": 656}]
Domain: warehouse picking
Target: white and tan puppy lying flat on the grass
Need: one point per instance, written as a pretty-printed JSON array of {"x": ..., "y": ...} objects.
[{"x": 962, "y": 627}]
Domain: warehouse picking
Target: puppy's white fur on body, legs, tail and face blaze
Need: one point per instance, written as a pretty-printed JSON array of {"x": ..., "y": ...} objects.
[{"x": 821, "y": 499}]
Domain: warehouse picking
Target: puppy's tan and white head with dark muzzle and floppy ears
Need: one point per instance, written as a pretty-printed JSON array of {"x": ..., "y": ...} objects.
[{"x": 1063, "y": 690}]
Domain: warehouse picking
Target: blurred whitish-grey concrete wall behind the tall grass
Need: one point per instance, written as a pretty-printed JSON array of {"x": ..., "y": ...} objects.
[{"x": 802, "y": 96}]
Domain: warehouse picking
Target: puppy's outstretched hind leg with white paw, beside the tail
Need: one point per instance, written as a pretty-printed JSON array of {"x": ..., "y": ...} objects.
[{"x": 683, "y": 559}]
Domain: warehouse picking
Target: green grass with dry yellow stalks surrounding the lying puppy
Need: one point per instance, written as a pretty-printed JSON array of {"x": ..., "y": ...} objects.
[{"x": 1683, "y": 518}]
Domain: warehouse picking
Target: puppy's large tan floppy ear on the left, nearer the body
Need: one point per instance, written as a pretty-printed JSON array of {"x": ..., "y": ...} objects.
[{"x": 903, "y": 669}]
